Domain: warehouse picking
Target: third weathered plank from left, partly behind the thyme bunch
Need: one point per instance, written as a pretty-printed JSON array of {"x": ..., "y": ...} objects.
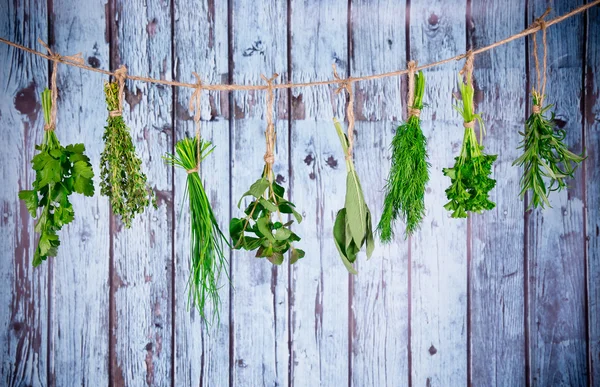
[{"x": 142, "y": 272}]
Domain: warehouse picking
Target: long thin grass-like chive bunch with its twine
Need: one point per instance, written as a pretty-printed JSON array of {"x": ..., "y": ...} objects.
[{"x": 207, "y": 257}]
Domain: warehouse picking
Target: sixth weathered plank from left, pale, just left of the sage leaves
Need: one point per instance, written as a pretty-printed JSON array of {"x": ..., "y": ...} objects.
[{"x": 319, "y": 318}]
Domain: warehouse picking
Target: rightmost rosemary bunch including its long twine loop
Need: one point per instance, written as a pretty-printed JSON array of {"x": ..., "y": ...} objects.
[{"x": 546, "y": 159}]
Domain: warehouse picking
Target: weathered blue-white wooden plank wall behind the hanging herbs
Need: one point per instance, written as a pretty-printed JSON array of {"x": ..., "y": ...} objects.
[{"x": 509, "y": 297}]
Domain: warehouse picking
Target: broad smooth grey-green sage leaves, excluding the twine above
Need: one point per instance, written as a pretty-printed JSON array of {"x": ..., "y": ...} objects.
[{"x": 352, "y": 228}]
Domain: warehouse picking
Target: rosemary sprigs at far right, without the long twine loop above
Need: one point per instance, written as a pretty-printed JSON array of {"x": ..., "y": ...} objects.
[{"x": 545, "y": 156}]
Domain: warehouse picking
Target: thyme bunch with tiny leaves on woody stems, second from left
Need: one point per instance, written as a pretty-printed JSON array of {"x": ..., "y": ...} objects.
[{"x": 120, "y": 168}]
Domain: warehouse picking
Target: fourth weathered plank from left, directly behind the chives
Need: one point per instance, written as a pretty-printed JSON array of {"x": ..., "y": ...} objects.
[{"x": 201, "y": 357}]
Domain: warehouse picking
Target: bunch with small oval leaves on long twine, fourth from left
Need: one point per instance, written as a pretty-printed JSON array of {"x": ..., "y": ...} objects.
[{"x": 257, "y": 230}]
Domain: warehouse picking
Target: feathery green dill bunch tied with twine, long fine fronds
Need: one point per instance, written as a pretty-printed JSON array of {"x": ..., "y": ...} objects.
[{"x": 409, "y": 172}]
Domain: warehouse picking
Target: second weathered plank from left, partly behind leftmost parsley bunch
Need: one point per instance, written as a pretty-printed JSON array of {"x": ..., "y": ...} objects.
[{"x": 79, "y": 339}]
